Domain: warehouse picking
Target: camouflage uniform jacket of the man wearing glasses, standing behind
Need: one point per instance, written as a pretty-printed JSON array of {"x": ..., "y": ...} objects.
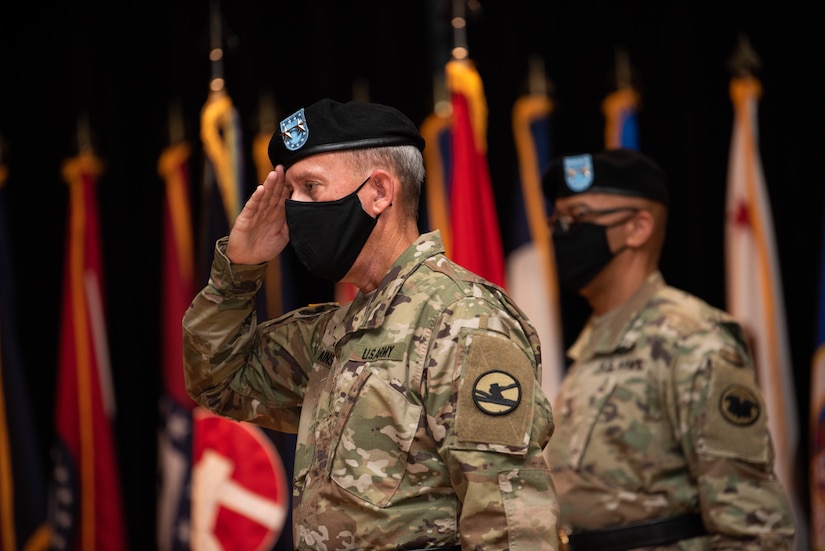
[{"x": 659, "y": 415}]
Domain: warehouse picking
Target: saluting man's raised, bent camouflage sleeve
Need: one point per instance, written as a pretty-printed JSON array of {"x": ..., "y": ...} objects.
[{"x": 237, "y": 368}]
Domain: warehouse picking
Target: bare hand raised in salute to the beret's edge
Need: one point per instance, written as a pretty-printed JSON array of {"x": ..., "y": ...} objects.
[{"x": 260, "y": 232}]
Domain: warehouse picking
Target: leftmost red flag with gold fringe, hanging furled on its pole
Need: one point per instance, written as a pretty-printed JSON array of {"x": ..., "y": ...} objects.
[{"x": 87, "y": 511}]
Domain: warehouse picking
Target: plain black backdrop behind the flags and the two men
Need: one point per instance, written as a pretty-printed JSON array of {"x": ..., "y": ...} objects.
[{"x": 123, "y": 64}]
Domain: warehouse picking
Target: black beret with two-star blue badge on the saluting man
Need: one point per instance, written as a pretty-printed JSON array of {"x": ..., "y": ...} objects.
[{"x": 328, "y": 125}]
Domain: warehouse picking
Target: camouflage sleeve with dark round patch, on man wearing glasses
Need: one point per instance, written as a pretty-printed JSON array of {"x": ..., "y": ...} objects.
[{"x": 730, "y": 451}]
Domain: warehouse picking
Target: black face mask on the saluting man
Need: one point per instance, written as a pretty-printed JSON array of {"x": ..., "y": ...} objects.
[{"x": 328, "y": 235}]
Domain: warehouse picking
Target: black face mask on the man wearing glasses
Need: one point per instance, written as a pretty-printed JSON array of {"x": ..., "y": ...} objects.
[{"x": 581, "y": 253}]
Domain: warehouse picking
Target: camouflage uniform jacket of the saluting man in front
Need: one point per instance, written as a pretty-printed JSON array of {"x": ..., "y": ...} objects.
[{"x": 418, "y": 408}]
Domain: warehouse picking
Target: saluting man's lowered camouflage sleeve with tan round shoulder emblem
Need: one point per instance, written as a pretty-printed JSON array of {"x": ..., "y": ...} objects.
[{"x": 492, "y": 419}]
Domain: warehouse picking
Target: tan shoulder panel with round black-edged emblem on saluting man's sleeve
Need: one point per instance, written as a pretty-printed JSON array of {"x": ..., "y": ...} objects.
[{"x": 495, "y": 396}]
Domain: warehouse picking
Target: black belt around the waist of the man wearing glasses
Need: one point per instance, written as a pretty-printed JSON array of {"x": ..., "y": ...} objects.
[{"x": 640, "y": 534}]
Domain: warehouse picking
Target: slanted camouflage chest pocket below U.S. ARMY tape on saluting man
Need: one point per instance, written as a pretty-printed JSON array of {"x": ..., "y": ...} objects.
[{"x": 377, "y": 430}]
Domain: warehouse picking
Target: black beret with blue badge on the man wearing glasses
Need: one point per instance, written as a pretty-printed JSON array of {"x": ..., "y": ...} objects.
[{"x": 617, "y": 171}]
